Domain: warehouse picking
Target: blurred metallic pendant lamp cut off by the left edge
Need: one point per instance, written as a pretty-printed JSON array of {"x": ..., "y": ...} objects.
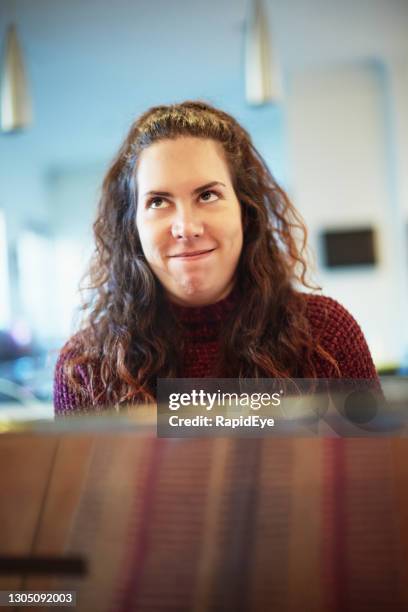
[{"x": 15, "y": 102}]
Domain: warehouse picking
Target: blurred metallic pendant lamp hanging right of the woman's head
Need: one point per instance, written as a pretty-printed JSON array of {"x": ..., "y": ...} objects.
[{"x": 263, "y": 83}]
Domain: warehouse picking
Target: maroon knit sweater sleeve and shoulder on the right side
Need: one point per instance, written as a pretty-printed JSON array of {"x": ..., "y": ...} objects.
[{"x": 340, "y": 335}]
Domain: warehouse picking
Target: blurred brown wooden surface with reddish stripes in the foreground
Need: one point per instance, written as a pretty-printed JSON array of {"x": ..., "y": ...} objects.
[{"x": 320, "y": 512}]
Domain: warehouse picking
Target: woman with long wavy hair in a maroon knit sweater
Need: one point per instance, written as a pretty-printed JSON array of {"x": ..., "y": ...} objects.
[{"x": 194, "y": 271}]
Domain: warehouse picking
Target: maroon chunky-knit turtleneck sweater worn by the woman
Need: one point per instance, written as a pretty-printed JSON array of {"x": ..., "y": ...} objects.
[{"x": 339, "y": 334}]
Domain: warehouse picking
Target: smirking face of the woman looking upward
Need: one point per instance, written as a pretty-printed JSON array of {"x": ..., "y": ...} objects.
[{"x": 189, "y": 219}]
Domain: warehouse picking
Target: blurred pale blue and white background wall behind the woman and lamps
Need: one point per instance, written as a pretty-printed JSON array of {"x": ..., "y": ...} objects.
[{"x": 337, "y": 140}]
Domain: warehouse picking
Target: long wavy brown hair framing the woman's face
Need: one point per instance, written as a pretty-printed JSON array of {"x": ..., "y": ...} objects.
[{"x": 129, "y": 336}]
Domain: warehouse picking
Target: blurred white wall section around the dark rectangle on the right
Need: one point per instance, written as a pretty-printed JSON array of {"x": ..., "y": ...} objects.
[{"x": 340, "y": 145}]
